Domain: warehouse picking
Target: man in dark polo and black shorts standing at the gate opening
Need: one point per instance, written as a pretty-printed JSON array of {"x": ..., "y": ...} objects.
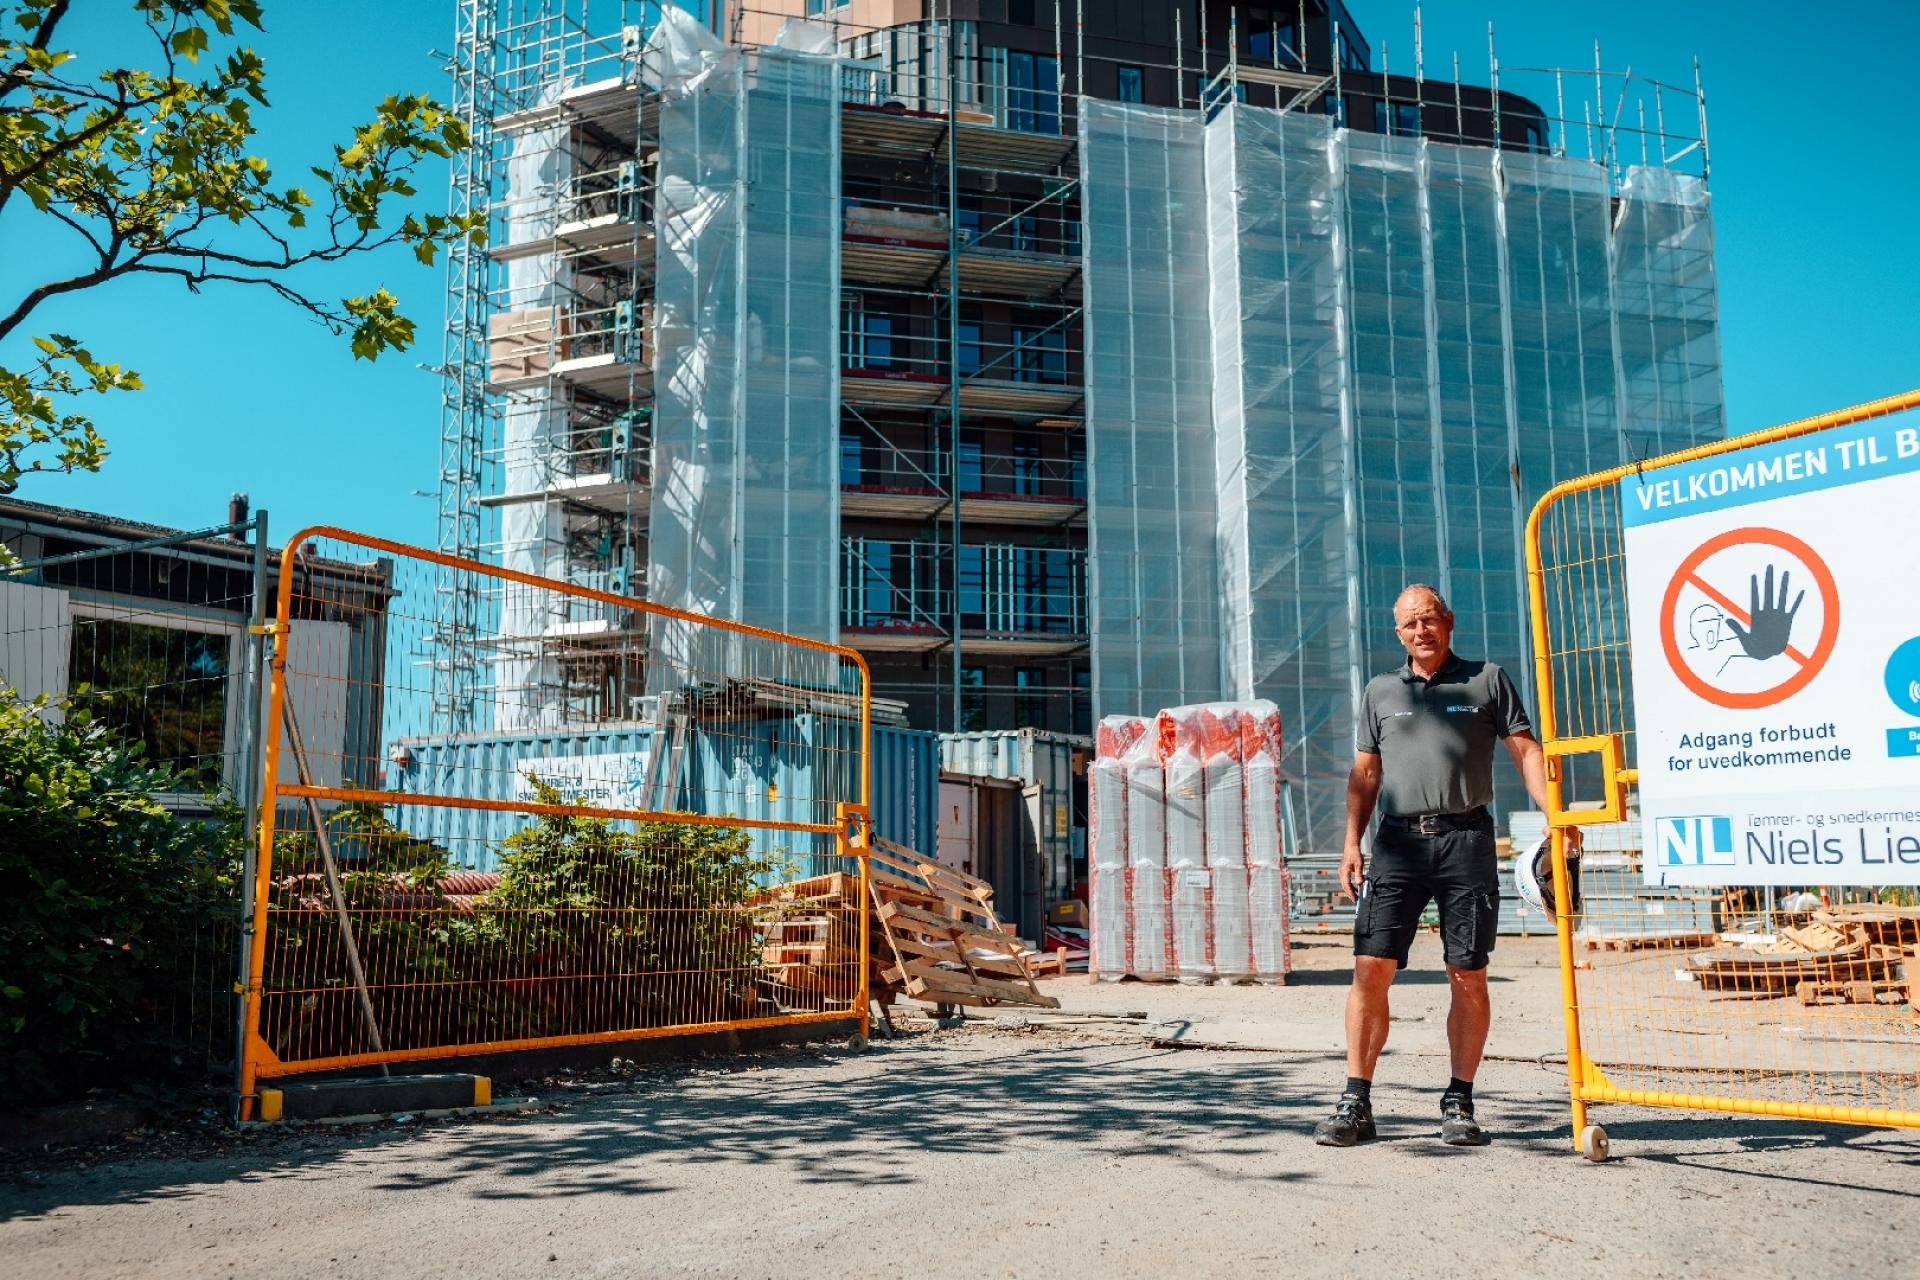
[{"x": 1426, "y": 757}]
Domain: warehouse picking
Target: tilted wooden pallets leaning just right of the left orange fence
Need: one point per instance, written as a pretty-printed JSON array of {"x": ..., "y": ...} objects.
[{"x": 946, "y": 941}]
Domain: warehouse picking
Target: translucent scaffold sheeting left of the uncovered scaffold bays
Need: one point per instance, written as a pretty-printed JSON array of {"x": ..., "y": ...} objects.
[{"x": 746, "y": 431}]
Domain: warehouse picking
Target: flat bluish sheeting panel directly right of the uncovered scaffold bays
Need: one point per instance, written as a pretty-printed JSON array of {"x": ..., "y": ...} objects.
[{"x": 1155, "y": 579}]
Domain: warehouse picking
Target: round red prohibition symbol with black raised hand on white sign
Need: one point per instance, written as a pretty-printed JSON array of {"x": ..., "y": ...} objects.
[{"x": 1750, "y": 619}]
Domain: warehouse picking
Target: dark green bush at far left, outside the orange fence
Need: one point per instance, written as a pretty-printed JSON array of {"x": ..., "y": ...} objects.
[{"x": 103, "y": 888}]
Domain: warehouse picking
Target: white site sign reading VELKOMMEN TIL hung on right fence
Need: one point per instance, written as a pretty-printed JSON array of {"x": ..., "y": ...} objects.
[{"x": 1777, "y": 661}]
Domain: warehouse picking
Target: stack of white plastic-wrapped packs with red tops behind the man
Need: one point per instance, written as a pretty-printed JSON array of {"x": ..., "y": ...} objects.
[{"x": 1186, "y": 847}]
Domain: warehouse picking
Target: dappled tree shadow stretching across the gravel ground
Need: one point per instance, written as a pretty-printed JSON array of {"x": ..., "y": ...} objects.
[{"x": 828, "y": 1120}]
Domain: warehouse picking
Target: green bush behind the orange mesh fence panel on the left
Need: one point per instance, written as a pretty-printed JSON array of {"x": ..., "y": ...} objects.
[{"x": 590, "y": 930}]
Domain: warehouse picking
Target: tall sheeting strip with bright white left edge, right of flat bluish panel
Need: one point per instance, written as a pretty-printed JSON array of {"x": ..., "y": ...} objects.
[{"x": 1282, "y": 421}]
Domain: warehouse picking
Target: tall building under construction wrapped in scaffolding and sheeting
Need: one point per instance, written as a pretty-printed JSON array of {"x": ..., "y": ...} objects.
[{"x": 1067, "y": 360}]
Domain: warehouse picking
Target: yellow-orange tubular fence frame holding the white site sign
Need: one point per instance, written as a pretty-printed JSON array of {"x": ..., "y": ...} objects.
[{"x": 1585, "y": 1081}]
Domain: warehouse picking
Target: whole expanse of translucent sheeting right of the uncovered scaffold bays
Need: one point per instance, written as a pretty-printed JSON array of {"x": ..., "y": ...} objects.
[{"x": 1404, "y": 346}]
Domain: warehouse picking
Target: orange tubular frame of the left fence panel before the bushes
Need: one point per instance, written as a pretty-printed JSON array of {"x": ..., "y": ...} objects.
[{"x": 852, "y": 830}]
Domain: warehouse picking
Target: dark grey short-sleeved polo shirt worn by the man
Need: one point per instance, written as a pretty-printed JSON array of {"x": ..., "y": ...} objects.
[{"x": 1435, "y": 738}]
